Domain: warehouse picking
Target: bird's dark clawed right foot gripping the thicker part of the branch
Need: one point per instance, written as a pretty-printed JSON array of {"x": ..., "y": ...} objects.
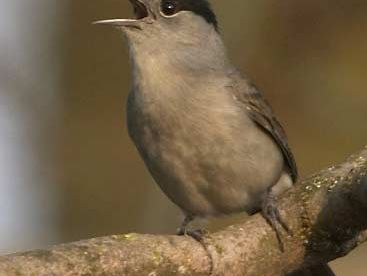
[{"x": 271, "y": 214}]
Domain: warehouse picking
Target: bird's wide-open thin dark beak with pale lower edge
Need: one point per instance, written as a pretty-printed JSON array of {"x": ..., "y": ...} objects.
[{"x": 140, "y": 12}]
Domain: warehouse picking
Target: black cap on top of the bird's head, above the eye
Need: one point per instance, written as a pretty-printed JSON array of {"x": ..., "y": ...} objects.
[{"x": 199, "y": 7}]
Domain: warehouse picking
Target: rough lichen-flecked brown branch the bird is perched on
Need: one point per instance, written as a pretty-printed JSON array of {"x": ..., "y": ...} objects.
[{"x": 326, "y": 213}]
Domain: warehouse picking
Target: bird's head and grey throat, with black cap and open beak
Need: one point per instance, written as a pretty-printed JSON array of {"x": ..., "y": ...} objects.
[{"x": 183, "y": 32}]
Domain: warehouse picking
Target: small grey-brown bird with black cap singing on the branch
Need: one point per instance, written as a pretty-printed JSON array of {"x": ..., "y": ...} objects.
[{"x": 206, "y": 133}]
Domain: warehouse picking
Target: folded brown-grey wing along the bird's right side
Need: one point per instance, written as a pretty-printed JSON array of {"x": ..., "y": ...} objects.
[{"x": 261, "y": 112}]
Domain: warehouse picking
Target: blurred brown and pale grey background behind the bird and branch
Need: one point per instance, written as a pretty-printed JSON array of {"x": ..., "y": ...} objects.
[{"x": 68, "y": 170}]
